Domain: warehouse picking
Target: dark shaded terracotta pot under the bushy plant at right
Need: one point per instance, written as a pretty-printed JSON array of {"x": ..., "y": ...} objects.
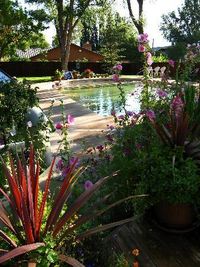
[{"x": 175, "y": 216}]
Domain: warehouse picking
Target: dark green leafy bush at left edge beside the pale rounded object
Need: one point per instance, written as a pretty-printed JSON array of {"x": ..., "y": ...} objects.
[{"x": 15, "y": 98}]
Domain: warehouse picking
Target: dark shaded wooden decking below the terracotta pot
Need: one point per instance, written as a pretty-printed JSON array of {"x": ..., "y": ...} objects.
[{"x": 157, "y": 248}]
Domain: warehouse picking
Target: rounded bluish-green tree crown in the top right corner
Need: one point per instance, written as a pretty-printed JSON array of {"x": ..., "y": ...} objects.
[{"x": 185, "y": 25}]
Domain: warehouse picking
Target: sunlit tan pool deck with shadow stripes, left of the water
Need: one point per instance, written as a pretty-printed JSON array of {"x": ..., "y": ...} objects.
[{"x": 89, "y": 128}]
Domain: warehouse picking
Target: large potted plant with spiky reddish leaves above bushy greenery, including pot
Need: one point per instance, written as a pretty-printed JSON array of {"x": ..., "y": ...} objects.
[{"x": 171, "y": 160}]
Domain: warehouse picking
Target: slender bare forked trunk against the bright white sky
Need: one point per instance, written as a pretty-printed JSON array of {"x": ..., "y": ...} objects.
[{"x": 138, "y": 22}]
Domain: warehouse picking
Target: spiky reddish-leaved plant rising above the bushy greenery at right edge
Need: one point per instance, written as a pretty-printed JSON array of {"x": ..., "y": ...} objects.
[{"x": 182, "y": 128}]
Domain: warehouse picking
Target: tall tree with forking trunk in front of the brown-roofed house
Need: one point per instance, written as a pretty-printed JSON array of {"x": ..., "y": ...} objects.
[{"x": 65, "y": 15}]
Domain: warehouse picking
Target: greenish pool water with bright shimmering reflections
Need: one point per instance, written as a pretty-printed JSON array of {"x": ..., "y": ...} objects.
[{"x": 102, "y": 100}]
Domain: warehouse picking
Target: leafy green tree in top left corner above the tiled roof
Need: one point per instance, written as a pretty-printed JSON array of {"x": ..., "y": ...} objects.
[{"x": 17, "y": 27}]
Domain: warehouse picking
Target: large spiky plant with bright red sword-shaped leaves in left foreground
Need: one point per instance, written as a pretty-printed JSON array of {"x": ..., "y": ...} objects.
[{"x": 24, "y": 216}]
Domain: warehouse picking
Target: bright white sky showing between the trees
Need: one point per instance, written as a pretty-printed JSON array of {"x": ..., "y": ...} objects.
[{"x": 153, "y": 10}]
